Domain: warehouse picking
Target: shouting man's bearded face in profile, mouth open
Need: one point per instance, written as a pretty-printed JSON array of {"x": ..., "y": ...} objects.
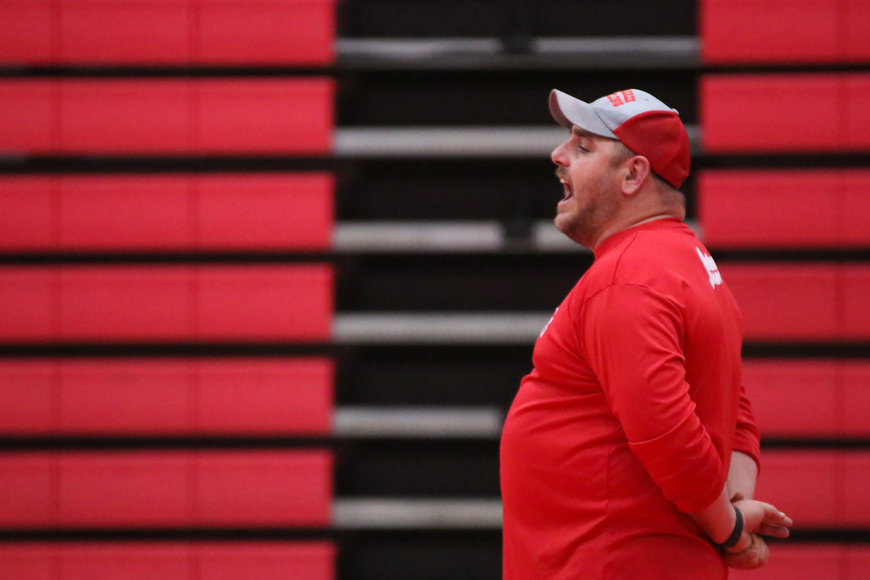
[{"x": 587, "y": 167}]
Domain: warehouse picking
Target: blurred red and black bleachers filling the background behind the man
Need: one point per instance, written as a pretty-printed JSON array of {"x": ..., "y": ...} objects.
[{"x": 271, "y": 270}]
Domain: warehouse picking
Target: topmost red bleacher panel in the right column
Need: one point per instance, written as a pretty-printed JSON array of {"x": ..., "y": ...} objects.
[{"x": 784, "y": 31}]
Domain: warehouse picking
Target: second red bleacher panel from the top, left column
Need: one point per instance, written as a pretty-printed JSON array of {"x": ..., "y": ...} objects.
[{"x": 164, "y": 116}]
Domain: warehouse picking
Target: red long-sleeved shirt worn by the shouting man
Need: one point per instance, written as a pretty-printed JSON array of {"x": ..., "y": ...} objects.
[{"x": 628, "y": 419}]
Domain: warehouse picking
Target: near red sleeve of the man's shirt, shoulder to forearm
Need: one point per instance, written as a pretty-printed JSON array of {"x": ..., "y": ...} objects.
[{"x": 631, "y": 337}]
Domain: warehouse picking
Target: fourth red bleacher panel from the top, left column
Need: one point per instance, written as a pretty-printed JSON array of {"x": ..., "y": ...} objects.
[{"x": 160, "y": 303}]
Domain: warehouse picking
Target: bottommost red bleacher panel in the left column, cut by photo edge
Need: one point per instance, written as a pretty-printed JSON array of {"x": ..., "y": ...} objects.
[{"x": 300, "y": 560}]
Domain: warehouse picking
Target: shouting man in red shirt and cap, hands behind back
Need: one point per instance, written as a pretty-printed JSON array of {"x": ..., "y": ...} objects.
[{"x": 626, "y": 445}]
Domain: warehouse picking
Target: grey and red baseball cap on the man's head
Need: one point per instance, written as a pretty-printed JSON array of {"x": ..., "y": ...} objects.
[{"x": 642, "y": 122}]
